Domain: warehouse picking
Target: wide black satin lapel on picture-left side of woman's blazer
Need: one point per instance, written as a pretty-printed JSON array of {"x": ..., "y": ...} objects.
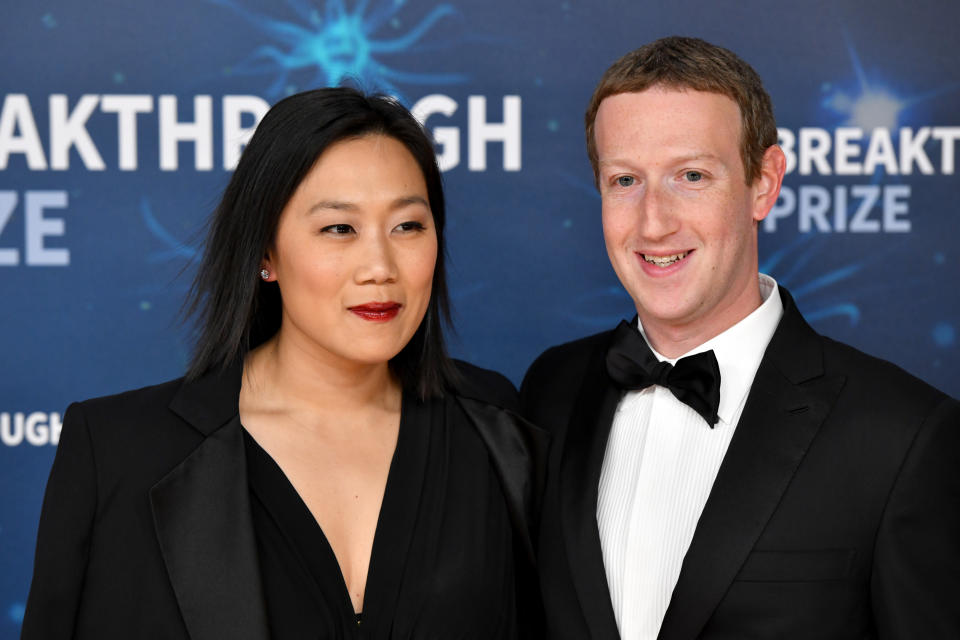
[{"x": 201, "y": 513}]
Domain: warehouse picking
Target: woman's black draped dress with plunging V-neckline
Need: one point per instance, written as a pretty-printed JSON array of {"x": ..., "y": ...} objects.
[{"x": 443, "y": 559}]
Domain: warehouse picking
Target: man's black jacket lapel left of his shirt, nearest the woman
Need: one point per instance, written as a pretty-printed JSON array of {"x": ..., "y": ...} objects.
[{"x": 580, "y": 467}]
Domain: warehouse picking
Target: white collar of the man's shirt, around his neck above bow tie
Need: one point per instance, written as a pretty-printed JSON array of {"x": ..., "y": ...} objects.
[{"x": 740, "y": 348}]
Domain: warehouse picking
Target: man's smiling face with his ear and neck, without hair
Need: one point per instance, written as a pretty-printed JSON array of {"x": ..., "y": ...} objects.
[{"x": 679, "y": 220}]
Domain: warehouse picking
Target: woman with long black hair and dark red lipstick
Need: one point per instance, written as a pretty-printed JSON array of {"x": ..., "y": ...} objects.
[{"x": 323, "y": 470}]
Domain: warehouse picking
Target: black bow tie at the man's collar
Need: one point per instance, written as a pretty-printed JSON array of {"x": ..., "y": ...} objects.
[{"x": 694, "y": 380}]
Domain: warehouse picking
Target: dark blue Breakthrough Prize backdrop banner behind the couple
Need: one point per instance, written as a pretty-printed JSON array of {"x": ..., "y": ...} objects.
[{"x": 120, "y": 124}]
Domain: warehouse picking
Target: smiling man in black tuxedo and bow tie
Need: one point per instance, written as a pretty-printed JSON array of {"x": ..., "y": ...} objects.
[{"x": 817, "y": 495}]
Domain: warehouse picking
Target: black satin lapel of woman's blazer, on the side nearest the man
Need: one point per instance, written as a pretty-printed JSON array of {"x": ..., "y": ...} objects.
[{"x": 518, "y": 451}]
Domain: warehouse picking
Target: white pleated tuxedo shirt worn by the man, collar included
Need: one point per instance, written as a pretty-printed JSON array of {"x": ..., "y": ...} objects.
[{"x": 660, "y": 464}]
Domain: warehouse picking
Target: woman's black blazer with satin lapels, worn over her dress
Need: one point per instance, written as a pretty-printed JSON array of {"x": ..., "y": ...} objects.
[{"x": 146, "y": 529}]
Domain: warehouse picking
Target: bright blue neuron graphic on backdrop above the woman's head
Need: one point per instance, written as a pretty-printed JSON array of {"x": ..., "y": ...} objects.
[{"x": 336, "y": 44}]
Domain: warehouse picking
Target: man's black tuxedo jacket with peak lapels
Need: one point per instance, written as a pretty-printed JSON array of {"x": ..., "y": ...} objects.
[{"x": 835, "y": 513}]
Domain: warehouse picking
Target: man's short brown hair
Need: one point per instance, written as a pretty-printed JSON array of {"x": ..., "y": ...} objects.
[{"x": 690, "y": 63}]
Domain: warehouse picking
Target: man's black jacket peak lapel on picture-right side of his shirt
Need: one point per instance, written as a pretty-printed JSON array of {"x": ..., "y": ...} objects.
[{"x": 788, "y": 401}]
